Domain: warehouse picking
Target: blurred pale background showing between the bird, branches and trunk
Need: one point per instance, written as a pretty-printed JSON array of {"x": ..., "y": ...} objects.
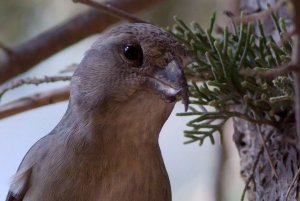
[{"x": 207, "y": 172}]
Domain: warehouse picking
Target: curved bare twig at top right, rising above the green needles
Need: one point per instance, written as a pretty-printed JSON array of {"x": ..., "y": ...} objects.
[{"x": 259, "y": 15}]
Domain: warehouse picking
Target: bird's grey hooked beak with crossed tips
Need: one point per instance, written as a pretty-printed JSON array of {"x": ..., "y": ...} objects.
[{"x": 170, "y": 83}]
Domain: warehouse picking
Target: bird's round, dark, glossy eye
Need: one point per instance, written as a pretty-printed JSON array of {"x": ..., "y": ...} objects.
[{"x": 133, "y": 54}]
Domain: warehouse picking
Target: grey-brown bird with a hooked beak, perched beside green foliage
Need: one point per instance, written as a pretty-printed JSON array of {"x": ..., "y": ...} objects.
[{"x": 105, "y": 147}]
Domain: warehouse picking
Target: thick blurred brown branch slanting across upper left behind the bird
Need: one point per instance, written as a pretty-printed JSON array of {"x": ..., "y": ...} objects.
[{"x": 35, "y": 50}]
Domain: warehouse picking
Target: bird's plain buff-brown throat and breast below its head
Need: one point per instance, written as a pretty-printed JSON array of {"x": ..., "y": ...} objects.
[{"x": 119, "y": 160}]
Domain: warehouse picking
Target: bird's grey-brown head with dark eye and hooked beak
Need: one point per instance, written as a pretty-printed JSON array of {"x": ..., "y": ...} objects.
[{"x": 129, "y": 59}]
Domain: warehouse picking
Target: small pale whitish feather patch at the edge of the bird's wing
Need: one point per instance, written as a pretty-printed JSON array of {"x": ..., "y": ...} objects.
[{"x": 19, "y": 185}]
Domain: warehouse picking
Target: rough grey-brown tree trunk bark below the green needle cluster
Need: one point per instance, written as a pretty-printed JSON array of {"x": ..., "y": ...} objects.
[{"x": 256, "y": 169}]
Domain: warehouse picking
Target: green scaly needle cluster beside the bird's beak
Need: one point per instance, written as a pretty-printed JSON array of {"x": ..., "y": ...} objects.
[{"x": 223, "y": 88}]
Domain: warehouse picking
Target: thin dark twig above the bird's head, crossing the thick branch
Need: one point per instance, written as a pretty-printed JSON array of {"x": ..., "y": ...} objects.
[{"x": 112, "y": 11}]
